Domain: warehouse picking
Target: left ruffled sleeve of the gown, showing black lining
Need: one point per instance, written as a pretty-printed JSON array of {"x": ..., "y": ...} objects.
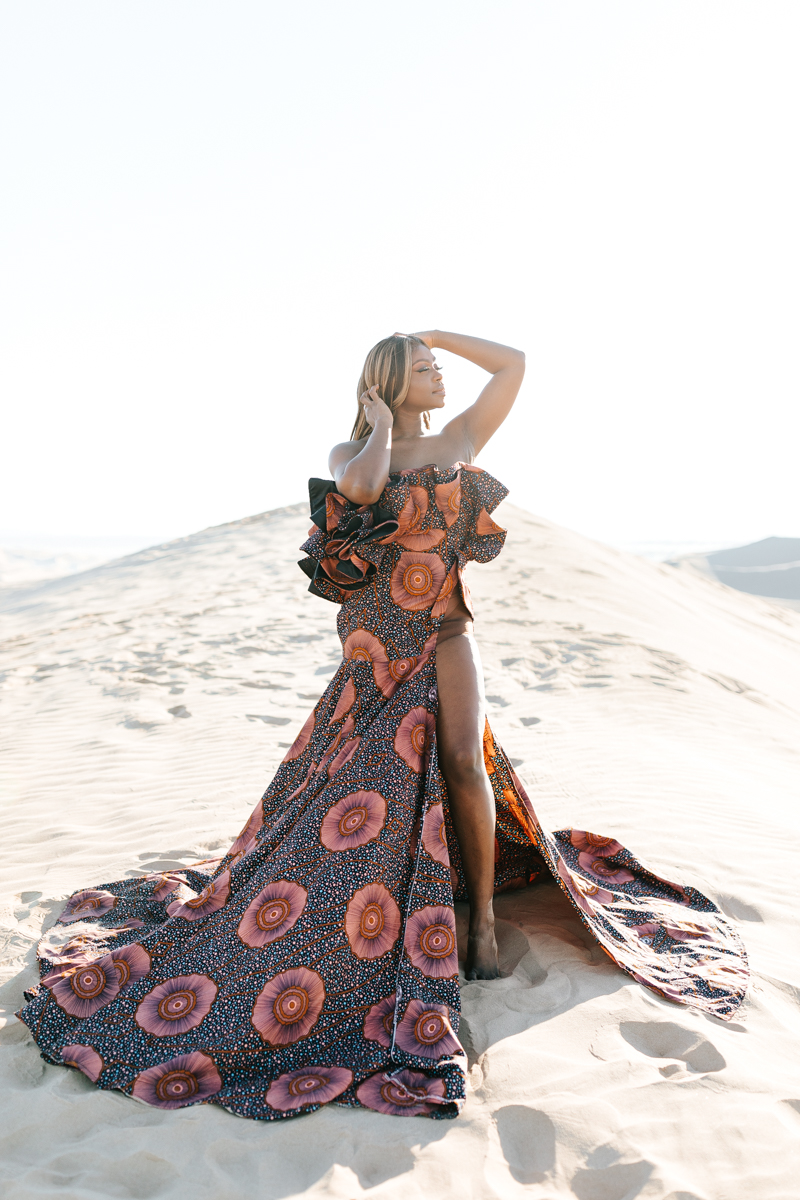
[{"x": 345, "y": 543}]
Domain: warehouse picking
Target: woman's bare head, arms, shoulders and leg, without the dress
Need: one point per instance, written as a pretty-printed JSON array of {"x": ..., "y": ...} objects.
[{"x": 400, "y": 441}]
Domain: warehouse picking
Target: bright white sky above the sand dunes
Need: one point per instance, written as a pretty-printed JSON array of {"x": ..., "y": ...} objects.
[{"x": 212, "y": 212}]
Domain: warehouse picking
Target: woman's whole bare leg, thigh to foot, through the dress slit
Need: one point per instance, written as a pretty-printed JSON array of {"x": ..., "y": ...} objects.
[{"x": 460, "y": 734}]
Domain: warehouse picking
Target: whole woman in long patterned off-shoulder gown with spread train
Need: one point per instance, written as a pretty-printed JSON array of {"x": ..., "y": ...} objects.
[{"x": 317, "y": 961}]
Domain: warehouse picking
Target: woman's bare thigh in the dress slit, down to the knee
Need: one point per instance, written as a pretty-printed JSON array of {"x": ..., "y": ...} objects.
[{"x": 462, "y": 704}]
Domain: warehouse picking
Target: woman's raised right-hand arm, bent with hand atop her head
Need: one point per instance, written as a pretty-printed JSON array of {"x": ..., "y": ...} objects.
[{"x": 490, "y": 411}]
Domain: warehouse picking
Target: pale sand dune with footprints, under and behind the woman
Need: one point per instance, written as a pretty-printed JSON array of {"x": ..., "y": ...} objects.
[{"x": 147, "y": 704}]
